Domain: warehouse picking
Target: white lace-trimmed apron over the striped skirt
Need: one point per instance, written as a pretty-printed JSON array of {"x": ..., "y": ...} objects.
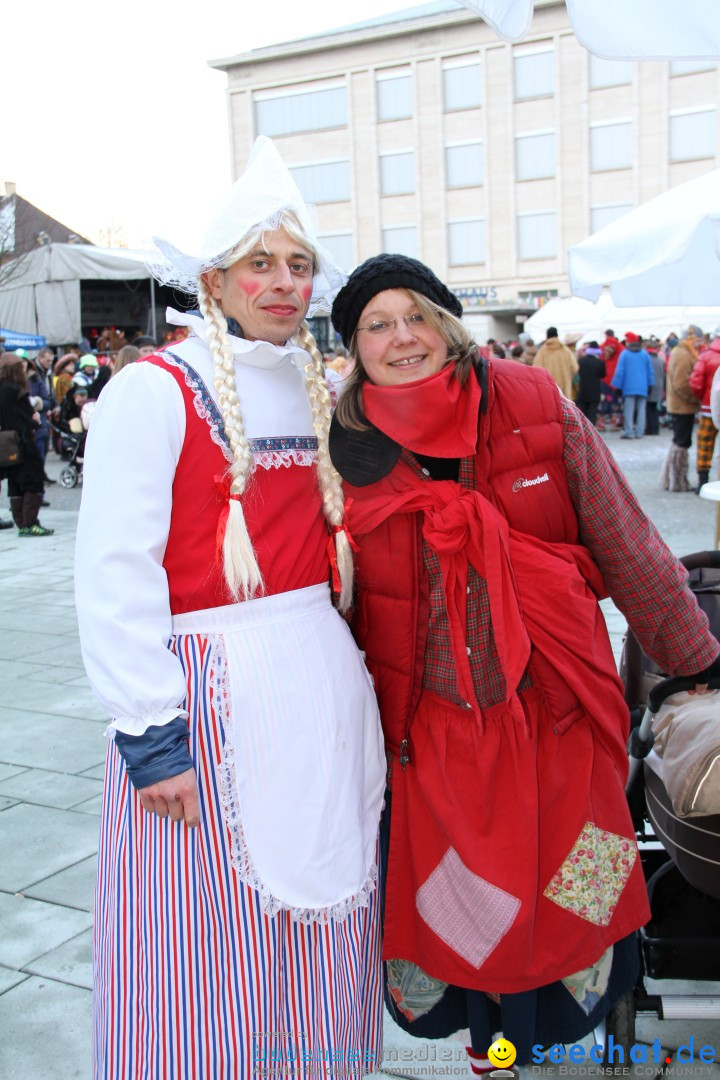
[{"x": 304, "y": 766}]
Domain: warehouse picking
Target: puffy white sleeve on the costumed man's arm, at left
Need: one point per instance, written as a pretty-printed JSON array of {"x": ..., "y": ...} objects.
[{"x": 121, "y": 587}]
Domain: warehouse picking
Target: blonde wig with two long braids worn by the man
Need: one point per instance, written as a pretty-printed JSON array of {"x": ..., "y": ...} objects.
[{"x": 240, "y": 563}]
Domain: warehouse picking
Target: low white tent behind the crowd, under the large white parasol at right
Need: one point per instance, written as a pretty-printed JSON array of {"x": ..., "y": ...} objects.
[{"x": 576, "y": 316}]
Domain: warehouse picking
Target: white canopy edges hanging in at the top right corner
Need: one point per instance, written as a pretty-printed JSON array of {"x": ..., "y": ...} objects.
[{"x": 616, "y": 30}]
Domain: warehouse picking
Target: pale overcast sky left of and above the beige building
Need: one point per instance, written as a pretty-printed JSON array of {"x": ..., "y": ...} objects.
[{"x": 111, "y": 115}]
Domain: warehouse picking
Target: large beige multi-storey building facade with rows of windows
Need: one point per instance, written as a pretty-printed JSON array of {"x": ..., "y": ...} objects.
[{"x": 424, "y": 133}]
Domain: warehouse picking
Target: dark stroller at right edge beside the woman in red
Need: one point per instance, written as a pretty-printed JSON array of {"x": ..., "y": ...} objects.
[{"x": 681, "y": 856}]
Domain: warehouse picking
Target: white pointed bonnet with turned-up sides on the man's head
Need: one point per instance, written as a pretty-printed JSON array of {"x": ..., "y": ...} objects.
[{"x": 255, "y": 201}]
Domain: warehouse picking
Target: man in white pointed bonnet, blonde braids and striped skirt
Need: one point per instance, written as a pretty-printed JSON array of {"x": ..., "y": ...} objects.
[{"x": 237, "y": 914}]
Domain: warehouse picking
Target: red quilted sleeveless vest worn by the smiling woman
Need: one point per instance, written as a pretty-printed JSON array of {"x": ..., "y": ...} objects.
[{"x": 520, "y": 469}]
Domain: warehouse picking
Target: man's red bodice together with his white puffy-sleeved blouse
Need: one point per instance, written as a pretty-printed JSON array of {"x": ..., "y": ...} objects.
[{"x": 156, "y": 464}]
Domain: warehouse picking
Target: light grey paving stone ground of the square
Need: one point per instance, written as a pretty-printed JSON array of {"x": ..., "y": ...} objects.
[{"x": 51, "y": 768}]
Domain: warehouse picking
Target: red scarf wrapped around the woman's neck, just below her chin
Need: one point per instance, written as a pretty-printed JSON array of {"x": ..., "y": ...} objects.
[{"x": 434, "y": 416}]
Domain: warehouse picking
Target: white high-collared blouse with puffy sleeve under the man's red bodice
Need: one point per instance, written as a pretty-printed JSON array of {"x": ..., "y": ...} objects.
[{"x": 131, "y": 456}]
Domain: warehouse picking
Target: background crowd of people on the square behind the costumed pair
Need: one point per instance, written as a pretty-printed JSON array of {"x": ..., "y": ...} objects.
[{"x": 630, "y": 385}]
